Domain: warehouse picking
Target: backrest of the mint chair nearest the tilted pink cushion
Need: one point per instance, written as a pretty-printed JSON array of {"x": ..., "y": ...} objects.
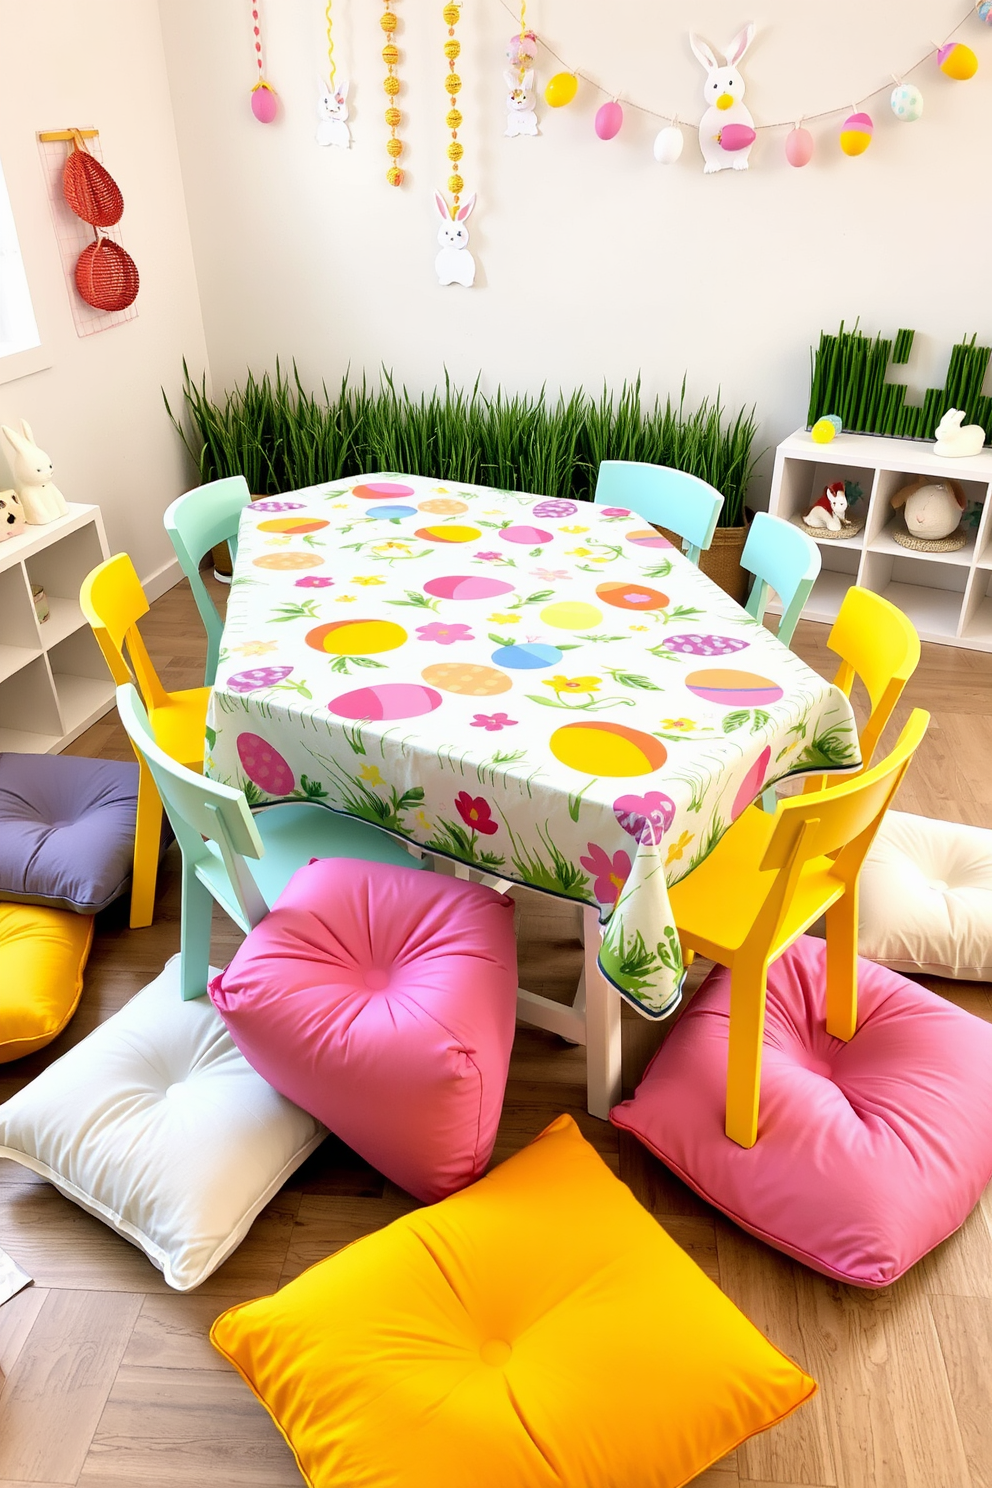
[{"x": 200, "y": 809}]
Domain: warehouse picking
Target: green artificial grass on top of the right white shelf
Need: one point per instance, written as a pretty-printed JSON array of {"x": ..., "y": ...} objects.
[{"x": 848, "y": 379}]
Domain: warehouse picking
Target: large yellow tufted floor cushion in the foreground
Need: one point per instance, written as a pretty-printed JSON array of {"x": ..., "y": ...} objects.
[{"x": 535, "y": 1331}]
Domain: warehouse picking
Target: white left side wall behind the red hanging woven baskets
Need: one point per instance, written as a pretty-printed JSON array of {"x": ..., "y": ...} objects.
[{"x": 99, "y": 408}]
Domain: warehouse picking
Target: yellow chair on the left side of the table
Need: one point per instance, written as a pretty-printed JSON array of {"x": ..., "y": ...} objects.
[{"x": 114, "y": 602}]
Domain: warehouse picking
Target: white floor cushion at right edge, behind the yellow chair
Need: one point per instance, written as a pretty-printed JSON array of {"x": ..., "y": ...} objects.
[{"x": 927, "y": 898}]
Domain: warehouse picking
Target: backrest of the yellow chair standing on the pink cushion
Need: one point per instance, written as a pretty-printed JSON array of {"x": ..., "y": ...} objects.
[{"x": 840, "y": 822}]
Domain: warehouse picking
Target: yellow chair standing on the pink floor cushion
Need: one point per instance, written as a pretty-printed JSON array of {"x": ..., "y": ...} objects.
[{"x": 767, "y": 883}]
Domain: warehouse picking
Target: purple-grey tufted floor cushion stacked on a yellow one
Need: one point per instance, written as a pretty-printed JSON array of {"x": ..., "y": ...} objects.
[{"x": 66, "y": 830}]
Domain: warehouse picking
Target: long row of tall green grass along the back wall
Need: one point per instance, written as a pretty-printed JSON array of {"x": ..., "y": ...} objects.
[{"x": 283, "y": 438}]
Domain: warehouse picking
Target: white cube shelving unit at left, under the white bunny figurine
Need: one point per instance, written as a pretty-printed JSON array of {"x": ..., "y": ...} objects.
[{"x": 54, "y": 682}]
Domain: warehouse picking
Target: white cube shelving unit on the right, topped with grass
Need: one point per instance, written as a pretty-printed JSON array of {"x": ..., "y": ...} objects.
[{"x": 947, "y": 596}]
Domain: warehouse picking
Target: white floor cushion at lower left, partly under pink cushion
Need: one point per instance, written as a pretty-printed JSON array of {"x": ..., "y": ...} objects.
[{"x": 161, "y": 1129}]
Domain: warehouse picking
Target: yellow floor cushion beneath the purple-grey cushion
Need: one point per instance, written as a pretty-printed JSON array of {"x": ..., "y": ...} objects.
[{"x": 42, "y": 958}]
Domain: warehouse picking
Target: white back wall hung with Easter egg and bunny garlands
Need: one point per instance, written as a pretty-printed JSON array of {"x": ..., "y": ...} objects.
[{"x": 594, "y": 261}]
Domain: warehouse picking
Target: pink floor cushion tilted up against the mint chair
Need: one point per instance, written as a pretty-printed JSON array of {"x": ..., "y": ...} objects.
[{"x": 383, "y": 1001}]
